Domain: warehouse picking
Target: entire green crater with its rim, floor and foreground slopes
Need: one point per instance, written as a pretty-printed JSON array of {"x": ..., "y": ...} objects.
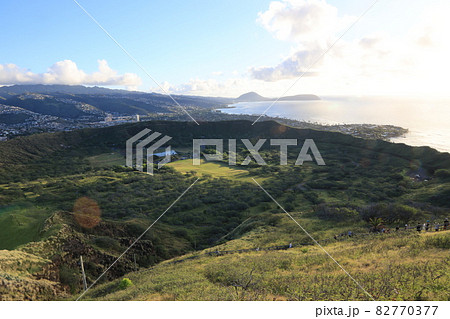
[{"x": 48, "y": 180}]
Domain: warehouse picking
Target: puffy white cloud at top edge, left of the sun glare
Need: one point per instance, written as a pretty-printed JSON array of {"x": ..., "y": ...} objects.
[{"x": 310, "y": 24}]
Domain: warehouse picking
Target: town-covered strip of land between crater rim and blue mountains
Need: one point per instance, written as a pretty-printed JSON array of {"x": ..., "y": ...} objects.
[{"x": 23, "y": 122}]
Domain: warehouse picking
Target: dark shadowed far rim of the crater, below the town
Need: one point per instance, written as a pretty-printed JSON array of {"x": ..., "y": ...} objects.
[{"x": 25, "y": 149}]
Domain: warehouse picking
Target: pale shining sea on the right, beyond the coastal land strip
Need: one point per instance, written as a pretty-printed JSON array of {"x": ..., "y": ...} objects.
[{"x": 428, "y": 120}]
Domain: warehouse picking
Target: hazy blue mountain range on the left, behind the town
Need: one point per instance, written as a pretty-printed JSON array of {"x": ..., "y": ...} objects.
[{"x": 64, "y": 101}]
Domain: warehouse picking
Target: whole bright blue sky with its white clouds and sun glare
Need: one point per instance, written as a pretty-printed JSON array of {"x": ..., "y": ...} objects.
[{"x": 227, "y": 48}]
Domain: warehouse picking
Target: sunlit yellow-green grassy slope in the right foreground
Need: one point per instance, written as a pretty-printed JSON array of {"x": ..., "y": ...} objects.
[{"x": 398, "y": 266}]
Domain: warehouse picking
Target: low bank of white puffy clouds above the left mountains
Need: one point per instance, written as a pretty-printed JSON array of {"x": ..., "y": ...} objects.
[{"x": 67, "y": 72}]
